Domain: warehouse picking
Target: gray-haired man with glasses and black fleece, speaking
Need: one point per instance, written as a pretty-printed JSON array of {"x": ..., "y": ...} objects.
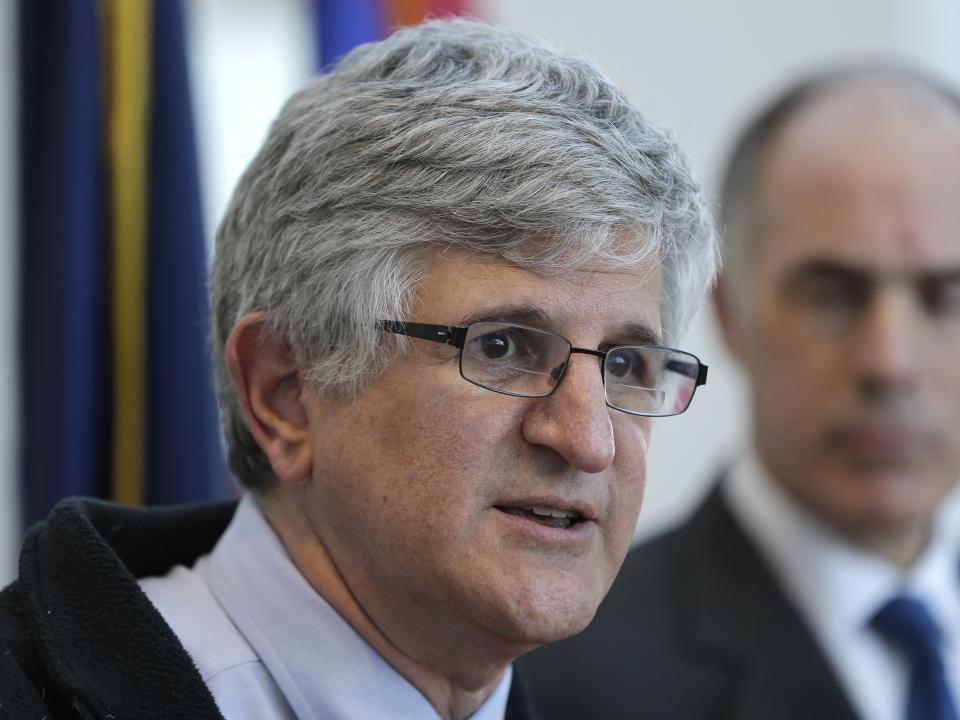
[{"x": 442, "y": 296}]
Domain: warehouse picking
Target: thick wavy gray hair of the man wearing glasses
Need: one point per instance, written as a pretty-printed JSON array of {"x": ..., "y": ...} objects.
[{"x": 451, "y": 133}]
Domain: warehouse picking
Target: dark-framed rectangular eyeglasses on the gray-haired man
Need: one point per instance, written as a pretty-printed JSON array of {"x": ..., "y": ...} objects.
[{"x": 512, "y": 359}]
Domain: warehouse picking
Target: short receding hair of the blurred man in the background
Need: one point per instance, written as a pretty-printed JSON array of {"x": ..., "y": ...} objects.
[{"x": 743, "y": 176}]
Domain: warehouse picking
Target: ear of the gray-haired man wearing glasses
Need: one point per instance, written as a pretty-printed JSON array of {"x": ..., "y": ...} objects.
[{"x": 269, "y": 385}]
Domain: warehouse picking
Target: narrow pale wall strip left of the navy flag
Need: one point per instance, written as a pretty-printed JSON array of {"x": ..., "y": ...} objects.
[{"x": 9, "y": 507}]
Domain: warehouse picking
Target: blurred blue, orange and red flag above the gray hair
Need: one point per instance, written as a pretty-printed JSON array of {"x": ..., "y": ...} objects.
[{"x": 343, "y": 24}]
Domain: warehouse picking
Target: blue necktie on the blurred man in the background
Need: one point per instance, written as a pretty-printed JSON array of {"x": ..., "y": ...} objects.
[{"x": 907, "y": 624}]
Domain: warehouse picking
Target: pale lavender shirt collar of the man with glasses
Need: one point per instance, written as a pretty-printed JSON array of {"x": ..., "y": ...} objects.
[{"x": 323, "y": 667}]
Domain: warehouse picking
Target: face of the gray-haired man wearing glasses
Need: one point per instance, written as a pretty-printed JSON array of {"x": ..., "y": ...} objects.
[{"x": 410, "y": 481}]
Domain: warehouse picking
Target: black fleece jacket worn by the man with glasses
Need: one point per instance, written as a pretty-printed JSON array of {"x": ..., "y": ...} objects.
[{"x": 79, "y": 639}]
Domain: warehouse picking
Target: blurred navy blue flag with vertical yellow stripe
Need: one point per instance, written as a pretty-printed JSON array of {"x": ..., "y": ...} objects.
[{"x": 116, "y": 391}]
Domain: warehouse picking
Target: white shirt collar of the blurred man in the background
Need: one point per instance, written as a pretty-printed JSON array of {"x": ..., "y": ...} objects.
[{"x": 837, "y": 586}]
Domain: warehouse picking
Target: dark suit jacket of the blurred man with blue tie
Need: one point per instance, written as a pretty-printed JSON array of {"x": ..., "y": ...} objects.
[{"x": 695, "y": 627}]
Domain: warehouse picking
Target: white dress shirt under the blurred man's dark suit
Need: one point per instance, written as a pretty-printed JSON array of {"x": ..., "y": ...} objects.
[{"x": 838, "y": 587}]
